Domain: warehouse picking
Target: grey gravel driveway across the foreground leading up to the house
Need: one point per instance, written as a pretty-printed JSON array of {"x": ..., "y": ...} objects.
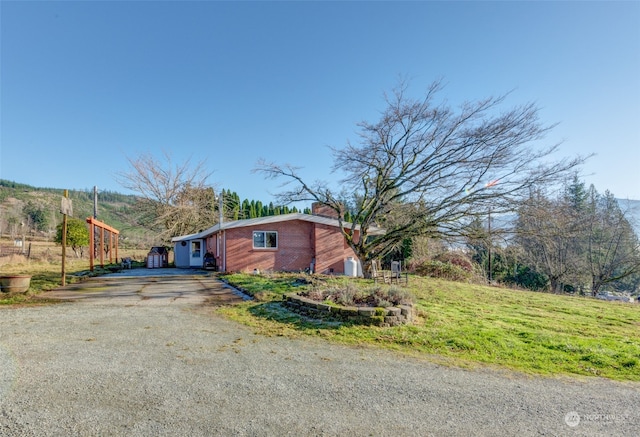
[{"x": 151, "y": 360}]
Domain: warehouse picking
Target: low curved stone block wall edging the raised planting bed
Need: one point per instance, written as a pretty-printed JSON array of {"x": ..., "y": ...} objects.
[{"x": 378, "y": 316}]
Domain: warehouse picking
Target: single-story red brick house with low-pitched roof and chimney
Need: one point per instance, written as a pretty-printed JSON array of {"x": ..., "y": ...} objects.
[{"x": 287, "y": 242}]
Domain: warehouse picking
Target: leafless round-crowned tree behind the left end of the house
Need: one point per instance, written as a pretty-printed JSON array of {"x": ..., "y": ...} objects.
[{"x": 175, "y": 199}]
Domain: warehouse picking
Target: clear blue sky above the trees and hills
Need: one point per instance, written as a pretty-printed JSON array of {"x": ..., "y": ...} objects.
[{"x": 84, "y": 85}]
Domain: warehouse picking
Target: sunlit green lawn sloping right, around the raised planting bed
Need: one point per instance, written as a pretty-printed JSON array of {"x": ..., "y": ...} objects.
[{"x": 466, "y": 325}]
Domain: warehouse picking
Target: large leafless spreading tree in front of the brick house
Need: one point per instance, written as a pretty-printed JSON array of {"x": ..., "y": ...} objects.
[{"x": 425, "y": 168}]
